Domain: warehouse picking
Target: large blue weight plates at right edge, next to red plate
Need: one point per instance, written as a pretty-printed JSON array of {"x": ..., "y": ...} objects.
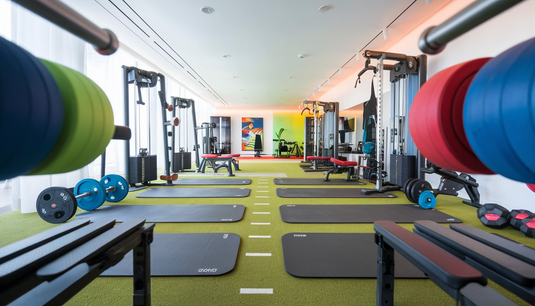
[{"x": 498, "y": 116}]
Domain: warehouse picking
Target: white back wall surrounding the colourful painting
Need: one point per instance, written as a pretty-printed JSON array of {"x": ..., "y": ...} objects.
[{"x": 235, "y": 128}]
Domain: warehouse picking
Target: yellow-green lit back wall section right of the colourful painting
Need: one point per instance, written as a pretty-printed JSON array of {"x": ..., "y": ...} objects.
[{"x": 293, "y": 124}]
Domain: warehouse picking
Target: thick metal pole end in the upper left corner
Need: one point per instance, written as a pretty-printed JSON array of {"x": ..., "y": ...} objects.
[{"x": 103, "y": 40}]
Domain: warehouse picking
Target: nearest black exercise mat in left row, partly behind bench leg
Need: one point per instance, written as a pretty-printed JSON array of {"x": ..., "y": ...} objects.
[{"x": 186, "y": 255}]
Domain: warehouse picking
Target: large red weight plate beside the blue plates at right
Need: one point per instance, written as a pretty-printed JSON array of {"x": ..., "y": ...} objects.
[{"x": 437, "y": 119}]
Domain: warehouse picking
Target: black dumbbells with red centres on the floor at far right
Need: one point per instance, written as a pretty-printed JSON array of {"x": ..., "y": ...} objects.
[{"x": 497, "y": 216}]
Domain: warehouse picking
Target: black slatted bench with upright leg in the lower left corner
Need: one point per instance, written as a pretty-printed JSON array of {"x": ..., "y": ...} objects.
[{"x": 51, "y": 267}]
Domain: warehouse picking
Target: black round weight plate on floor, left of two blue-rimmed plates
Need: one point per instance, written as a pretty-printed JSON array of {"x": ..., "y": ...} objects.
[{"x": 56, "y": 204}]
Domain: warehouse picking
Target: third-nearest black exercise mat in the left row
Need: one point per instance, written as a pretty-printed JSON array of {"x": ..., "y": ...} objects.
[{"x": 171, "y": 192}]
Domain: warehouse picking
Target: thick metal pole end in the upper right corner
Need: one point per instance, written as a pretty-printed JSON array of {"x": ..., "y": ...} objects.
[{"x": 434, "y": 39}]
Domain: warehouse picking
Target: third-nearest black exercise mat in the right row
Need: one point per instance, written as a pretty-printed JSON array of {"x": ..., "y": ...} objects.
[{"x": 328, "y": 193}]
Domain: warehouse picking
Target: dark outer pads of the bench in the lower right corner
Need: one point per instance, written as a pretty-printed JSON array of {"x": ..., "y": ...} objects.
[{"x": 506, "y": 262}]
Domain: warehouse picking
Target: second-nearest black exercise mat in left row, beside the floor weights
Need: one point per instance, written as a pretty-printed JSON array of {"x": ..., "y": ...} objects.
[{"x": 168, "y": 213}]
